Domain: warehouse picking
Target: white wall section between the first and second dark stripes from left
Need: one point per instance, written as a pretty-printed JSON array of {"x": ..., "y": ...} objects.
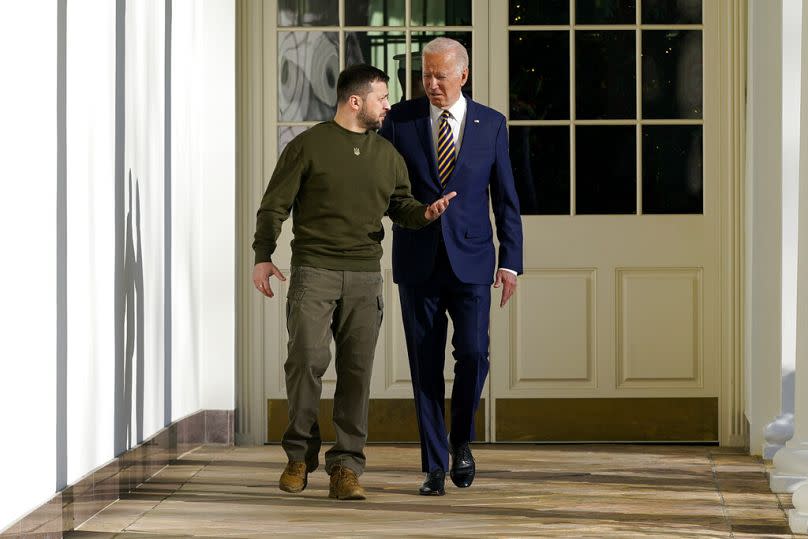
[{"x": 90, "y": 119}]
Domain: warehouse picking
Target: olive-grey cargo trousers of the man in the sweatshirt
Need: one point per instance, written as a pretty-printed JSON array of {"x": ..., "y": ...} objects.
[{"x": 346, "y": 306}]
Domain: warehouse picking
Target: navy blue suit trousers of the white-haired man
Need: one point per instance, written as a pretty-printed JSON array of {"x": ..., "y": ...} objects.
[{"x": 424, "y": 310}]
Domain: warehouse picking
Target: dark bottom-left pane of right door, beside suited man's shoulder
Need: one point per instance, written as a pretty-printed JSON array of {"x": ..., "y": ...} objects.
[{"x": 540, "y": 157}]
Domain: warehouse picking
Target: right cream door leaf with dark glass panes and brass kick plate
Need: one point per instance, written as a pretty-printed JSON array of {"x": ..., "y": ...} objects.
[{"x": 614, "y": 331}]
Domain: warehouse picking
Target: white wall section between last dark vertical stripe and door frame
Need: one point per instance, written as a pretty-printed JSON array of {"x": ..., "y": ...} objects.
[{"x": 203, "y": 201}]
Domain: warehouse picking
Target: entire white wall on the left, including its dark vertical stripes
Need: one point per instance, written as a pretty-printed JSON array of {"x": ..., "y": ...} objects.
[{"x": 180, "y": 243}]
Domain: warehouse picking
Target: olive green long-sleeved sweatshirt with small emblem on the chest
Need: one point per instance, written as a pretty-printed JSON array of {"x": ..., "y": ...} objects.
[{"x": 338, "y": 185}]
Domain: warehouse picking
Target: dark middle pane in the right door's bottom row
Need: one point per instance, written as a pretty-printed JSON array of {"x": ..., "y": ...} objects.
[{"x": 605, "y": 169}]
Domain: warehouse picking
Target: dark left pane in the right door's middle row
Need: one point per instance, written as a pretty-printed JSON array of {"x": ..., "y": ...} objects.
[{"x": 539, "y": 75}]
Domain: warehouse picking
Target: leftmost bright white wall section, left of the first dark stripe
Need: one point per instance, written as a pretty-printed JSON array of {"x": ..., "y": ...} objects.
[{"x": 28, "y": 272}]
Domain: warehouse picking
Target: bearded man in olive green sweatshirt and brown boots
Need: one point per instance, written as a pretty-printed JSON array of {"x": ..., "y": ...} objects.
[{"x": 338, "y": 179}]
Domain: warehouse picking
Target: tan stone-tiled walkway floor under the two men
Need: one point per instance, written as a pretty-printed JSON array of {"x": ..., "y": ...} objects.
[{"x": 520, "y": 490}]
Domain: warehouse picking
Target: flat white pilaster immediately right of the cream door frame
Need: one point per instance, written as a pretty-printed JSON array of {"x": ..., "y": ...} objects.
[{"x": 764, "y": 221}]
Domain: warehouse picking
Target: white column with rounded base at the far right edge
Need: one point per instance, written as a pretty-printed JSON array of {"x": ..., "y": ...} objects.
[{"x": 791, "y": 462}]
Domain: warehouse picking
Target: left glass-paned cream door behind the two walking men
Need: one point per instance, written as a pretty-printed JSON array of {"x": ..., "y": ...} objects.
[{"x": 315, "y": 40}]
